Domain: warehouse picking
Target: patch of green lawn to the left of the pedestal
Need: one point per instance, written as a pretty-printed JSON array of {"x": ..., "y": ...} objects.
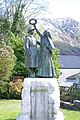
[{"x": 9, "y": 109}]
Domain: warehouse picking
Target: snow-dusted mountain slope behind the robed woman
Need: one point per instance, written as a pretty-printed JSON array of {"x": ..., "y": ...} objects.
[{"x": 65, "y": 34}]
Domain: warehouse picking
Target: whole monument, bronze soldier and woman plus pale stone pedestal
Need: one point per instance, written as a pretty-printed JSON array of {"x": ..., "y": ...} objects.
[{"x": 40, "y": 96}]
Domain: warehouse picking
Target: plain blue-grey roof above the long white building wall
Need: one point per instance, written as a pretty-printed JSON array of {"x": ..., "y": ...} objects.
[{"x": 69, "y": 61}]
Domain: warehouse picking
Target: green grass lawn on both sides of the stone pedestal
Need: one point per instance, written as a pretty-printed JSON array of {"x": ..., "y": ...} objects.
[{"x": 10, "y": 109}]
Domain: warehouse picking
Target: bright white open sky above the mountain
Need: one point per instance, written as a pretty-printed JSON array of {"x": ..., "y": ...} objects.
[{"x": 64, "y": 8}]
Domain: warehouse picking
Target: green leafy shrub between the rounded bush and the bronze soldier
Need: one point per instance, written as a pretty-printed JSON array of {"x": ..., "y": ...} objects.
[{"x": 17, "y": 45}]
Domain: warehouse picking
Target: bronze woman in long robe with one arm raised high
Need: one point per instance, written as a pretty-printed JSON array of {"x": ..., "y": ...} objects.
[{"x": 45, "y": 68}]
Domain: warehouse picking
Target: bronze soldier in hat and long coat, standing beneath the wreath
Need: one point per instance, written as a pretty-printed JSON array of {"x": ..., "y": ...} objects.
[{"x": 31, "y": 53}]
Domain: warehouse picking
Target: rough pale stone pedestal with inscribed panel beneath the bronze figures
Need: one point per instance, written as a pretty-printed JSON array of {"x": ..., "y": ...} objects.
[{"x": 40, "y": 100}]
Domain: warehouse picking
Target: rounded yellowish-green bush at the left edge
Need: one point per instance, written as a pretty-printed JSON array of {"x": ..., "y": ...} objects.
[{"x": 7, "y": 61}]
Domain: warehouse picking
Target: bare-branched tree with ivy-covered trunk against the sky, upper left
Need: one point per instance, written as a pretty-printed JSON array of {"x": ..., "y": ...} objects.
[{"x": 19, "y": 12}]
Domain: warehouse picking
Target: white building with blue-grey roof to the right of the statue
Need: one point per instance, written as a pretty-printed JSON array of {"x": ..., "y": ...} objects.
[{"x": 70, "y": 67}]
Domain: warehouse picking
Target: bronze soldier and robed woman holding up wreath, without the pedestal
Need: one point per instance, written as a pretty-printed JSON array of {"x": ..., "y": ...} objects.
[{"x": 42, "y": 62}]
